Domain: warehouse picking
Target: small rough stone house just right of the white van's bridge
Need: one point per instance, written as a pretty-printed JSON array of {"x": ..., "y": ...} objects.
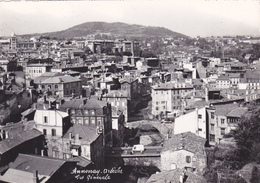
[{"x": 185, "y": 150}]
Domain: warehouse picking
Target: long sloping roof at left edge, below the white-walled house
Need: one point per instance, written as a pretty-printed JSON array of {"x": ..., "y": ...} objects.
[{"x": 17, "y": 139}]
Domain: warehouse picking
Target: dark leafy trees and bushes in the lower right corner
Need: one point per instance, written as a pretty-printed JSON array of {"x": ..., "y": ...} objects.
[{"x": 246, "y": 149}]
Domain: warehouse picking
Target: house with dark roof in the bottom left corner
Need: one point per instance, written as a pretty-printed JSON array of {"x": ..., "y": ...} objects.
[{"x": 33, "y": 169}]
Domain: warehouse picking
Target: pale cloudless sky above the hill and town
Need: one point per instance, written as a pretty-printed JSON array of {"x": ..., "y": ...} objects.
[{"x": 189, "y": 17}]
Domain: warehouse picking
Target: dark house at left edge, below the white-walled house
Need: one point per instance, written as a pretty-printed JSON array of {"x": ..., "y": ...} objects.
[{"x": 28, "y": 142}]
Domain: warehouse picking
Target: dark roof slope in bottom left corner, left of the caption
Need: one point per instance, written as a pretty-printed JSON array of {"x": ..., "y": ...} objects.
[{"x": 43, "y": 164}]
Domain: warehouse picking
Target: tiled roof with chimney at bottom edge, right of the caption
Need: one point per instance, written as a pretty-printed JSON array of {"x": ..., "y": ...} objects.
[{"x": 173, "y": 176}]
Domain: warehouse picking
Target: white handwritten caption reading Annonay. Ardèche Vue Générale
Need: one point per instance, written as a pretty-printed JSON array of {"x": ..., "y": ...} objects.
[{"x": 95, "y": 174}]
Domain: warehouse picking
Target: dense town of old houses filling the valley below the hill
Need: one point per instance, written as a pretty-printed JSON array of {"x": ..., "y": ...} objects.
[{"x": 100, "y": 109}]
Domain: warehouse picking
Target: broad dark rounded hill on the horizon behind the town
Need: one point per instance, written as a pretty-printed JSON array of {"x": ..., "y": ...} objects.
[{"x": 115, "y": 30}]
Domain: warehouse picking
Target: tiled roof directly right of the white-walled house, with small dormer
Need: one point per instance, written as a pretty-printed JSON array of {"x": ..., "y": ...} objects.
[{"x": 86, "y": 133}]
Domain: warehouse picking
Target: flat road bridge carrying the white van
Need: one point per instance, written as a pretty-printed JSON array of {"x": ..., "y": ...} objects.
[{"x": 126, "y": 152}]
